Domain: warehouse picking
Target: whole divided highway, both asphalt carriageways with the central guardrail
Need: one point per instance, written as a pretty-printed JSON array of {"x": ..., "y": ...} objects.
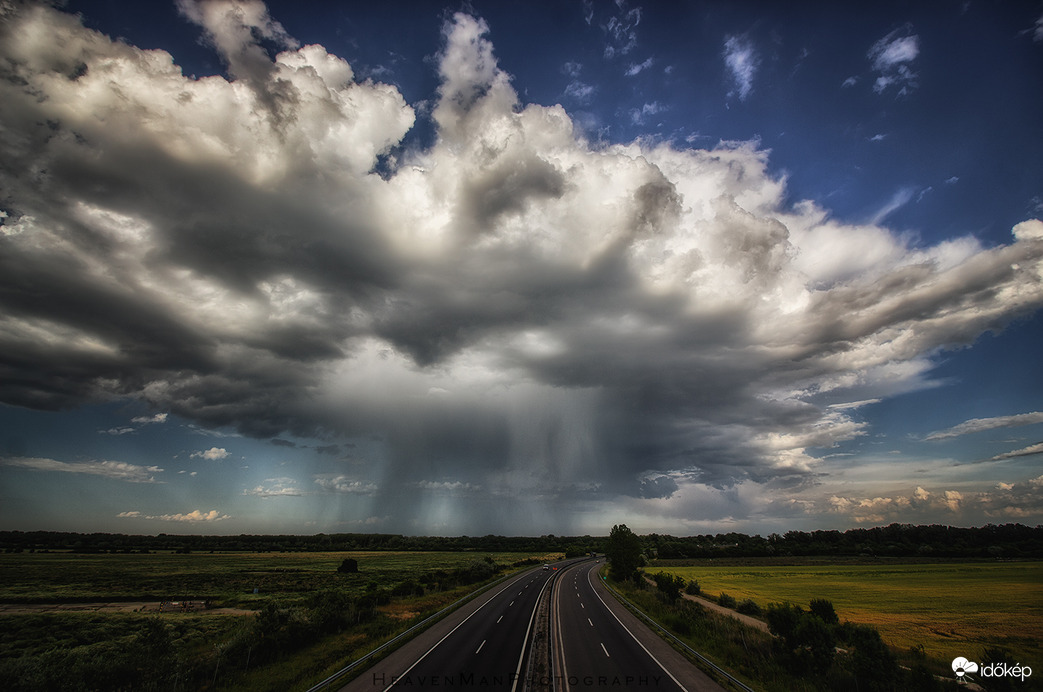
[{"x": 596, "y": 643}]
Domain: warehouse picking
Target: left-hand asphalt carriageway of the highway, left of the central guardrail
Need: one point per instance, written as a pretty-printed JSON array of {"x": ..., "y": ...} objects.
[{"x": 482, "y": 647}]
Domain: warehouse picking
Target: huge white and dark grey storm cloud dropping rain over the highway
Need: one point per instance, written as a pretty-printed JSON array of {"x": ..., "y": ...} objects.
[{"x": 514, "y": 314}]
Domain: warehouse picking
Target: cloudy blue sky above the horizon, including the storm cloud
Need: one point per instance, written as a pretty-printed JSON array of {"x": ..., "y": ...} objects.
[{"x": 520, "y": 268}]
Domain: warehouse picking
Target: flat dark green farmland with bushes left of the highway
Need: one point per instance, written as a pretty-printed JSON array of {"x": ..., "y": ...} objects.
[{"x": 72, "y": 622}]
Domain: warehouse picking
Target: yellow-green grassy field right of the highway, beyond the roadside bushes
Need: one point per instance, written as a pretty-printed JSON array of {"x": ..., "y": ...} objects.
[{"x": 951, "y": 609}]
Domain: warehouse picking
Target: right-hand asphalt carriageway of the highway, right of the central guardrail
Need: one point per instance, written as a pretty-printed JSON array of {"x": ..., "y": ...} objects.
[{"x": 600, "y": 646}]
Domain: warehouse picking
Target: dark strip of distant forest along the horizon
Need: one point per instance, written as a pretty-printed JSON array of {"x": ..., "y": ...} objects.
[{"x": 1007, "y": 541}]
